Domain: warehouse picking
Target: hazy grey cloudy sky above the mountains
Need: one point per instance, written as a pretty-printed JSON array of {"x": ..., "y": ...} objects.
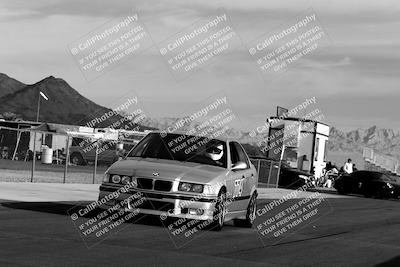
[{"x": 355, "y": 80}]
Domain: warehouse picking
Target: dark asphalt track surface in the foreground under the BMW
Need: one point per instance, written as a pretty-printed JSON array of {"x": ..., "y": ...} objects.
[{"x": 352, "y": 232}]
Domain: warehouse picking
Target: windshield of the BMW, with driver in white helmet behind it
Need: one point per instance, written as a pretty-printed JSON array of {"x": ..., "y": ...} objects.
[{"x": 181, "y": 147}]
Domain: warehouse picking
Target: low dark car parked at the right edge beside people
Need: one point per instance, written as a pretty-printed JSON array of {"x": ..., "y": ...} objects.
[{"x": 369, "y": 184}]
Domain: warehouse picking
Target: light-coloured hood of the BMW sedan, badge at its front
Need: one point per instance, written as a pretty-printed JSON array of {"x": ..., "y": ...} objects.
[{"x": 167, "y": 170}]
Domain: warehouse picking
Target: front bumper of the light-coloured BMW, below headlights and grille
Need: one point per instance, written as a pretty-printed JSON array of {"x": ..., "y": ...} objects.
[{"x": 163, "y": 204}]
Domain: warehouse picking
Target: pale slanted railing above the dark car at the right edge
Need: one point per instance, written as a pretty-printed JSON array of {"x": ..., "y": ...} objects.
[{"x": 385, "y": 162}]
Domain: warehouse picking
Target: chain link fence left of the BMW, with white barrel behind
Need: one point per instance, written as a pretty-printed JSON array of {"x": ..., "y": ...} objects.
[{"x": 28, "y": 155}]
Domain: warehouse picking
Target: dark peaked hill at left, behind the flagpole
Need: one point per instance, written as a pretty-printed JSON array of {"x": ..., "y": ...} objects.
[{"x": 65, "y": 105}]
